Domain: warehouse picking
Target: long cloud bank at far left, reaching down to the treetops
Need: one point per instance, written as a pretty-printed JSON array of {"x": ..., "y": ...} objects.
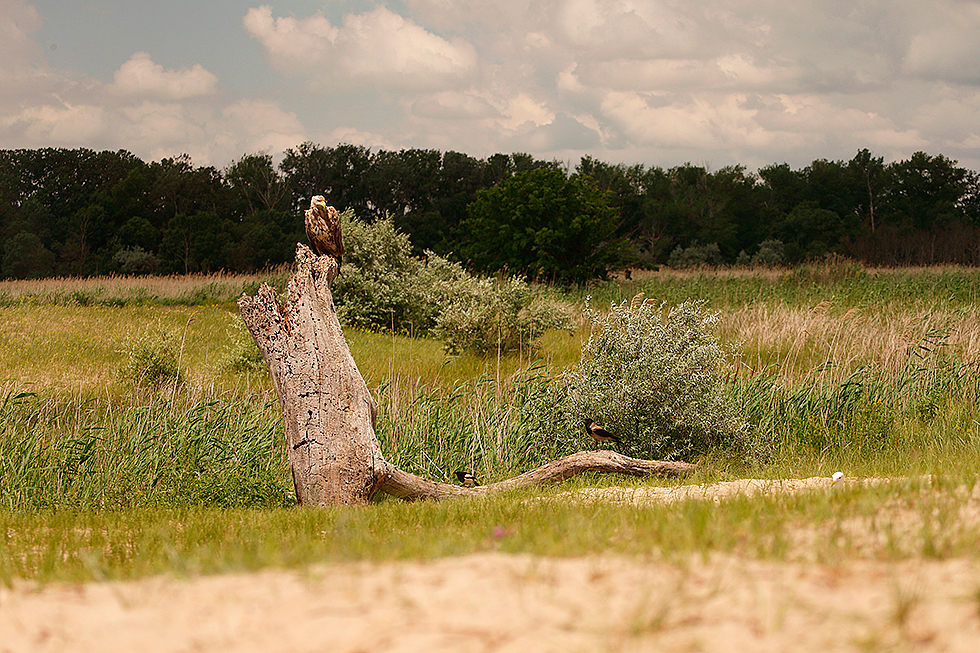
[{"x": 148, "y": 110}]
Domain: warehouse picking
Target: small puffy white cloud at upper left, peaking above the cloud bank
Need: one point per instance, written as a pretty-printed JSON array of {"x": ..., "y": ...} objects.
[{"x": 140, "y": 77}]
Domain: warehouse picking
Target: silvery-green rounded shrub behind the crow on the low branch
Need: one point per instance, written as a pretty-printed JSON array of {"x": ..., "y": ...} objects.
[{"x": 653, "y": 376}]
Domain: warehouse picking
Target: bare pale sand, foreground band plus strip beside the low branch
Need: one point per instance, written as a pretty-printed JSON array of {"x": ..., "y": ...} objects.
[{"x": 500, "y": 602}]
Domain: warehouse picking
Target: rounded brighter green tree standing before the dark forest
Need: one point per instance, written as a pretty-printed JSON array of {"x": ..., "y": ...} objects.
[{"x": 545, "y": 225}]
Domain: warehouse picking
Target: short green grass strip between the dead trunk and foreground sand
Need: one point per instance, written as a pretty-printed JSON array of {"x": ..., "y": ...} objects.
[{"x": 908, "y": 519}]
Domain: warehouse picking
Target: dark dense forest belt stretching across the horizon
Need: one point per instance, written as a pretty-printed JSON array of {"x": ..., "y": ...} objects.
[{"x": 81, "y": 212}]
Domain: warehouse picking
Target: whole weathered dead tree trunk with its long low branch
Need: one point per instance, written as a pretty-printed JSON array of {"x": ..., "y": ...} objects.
[{"x": 330, "y": 416}]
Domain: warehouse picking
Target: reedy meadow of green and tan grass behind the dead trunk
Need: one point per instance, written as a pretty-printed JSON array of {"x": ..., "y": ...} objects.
[{"x": 872, "y": 370}]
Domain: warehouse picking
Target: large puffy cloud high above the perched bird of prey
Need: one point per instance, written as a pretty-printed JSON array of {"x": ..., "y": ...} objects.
[{"x": 379, "y": 47}]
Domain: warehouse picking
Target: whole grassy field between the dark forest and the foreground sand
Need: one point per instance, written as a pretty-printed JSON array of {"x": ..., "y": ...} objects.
[{"x": 869, "y": 371}]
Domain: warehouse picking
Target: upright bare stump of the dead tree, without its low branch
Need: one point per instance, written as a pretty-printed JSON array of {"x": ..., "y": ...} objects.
[{"x": 328, "y": 410}]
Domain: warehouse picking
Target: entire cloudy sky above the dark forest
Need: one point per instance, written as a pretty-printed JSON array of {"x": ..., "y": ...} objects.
[{"x": 635, "y": 81}]
